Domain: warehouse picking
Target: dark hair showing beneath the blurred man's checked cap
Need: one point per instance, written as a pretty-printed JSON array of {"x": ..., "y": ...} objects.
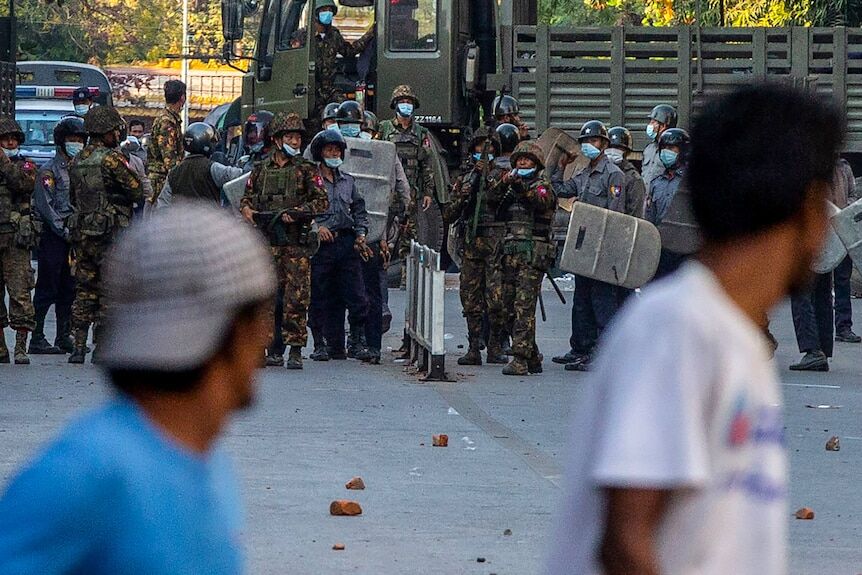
[{"x": 134, "y": 381}]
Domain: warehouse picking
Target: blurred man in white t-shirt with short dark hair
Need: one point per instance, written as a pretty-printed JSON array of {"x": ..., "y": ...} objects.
[{"x": 677, "y": 461}]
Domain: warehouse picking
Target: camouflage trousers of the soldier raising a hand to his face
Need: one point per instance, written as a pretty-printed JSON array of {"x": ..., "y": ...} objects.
[{"x": 521, "y": 284}]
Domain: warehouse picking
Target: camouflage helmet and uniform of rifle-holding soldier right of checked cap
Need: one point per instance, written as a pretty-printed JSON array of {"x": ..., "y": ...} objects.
[{"x": 296, "y": 186}]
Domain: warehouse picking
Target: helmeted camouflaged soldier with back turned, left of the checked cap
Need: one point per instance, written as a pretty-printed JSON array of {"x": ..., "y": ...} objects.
[{"x": 103, "y": 190}]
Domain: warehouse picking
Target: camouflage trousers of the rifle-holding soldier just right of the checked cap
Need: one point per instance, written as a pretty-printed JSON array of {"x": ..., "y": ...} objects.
[{"x": 293, "y": 269}]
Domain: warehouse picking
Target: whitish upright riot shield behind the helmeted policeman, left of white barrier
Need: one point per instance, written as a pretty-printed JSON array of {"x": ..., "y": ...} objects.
[{"x": 372, "y": 163}]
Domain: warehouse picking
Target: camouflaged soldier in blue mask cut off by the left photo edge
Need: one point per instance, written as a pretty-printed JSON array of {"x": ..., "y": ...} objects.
[{"x": 17, "y": 237}]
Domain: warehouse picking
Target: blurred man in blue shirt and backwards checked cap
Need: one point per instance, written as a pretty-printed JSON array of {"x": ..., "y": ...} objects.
[{"x": 141, "y": 485}]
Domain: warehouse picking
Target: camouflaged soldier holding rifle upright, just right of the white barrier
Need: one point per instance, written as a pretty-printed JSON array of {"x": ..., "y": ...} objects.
[{"x": 474, "y": 206}]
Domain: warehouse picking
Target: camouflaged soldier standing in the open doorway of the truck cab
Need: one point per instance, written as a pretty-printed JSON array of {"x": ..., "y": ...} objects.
[{"x": 329, "y": 44}]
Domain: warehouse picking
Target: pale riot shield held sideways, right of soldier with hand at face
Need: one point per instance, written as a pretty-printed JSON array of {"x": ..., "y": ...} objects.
[{"x": 610, "y": 247}]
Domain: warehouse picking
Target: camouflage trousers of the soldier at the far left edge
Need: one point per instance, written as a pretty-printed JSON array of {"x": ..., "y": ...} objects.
[{"x": 16, "y": 278}]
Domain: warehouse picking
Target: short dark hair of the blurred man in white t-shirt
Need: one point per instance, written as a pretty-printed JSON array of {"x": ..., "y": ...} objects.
[{"x": 755, "y": 153}]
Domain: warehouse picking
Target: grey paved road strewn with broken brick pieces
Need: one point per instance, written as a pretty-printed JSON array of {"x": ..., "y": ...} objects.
[{"x": 436, "y": 511}]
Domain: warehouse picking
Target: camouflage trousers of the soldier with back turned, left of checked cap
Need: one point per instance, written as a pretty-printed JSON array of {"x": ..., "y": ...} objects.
[{"x": 87, "y": 307}]
